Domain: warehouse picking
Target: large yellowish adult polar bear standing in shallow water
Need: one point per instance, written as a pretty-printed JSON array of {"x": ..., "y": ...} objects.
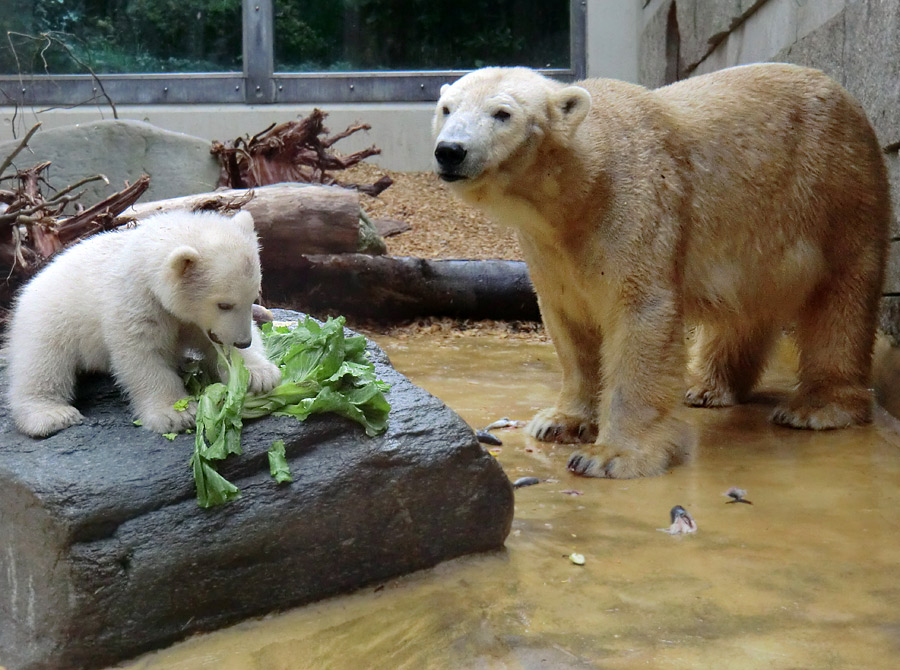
[{"x": 740, "y": 202}]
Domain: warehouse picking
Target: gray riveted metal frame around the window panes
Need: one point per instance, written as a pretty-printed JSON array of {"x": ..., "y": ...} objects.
[{"x": 259, "y": 83}]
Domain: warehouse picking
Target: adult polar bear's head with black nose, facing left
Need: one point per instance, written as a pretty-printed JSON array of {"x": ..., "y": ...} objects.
[{"x": 494, "y": 120}]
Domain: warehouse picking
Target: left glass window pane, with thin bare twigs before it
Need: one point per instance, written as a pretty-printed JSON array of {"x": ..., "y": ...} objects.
[{"x": 120, "y": 36}]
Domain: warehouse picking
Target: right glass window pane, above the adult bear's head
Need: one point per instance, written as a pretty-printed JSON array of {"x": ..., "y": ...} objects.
[{"x": 348, "y": 35}]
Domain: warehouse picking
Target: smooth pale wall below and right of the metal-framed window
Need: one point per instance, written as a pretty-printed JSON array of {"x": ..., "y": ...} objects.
[{"x": 402, "y": 131}]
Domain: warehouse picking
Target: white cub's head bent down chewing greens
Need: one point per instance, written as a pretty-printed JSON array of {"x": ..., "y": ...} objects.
[{"x": 212, "y": 275}]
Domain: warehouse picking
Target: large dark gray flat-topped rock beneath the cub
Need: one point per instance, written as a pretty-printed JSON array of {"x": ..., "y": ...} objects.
[{"x": 105, "y": 554}]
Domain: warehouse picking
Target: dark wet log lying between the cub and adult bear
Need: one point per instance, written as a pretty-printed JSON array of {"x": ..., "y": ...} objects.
[{"x": 390, "y": 288}]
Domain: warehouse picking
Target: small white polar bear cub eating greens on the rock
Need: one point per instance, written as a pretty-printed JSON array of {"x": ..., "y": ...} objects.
[{"x": 132, "y": 302}]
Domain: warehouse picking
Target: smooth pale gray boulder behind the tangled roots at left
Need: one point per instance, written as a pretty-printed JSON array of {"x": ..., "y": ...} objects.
[{"x": 178, "y": 164}]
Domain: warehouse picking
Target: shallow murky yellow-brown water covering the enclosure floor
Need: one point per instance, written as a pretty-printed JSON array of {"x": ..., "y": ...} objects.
[{"x": 806, "y": 577}]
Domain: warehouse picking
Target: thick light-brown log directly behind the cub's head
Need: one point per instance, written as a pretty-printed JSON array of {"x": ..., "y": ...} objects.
[{"x": 290, "y": 219}]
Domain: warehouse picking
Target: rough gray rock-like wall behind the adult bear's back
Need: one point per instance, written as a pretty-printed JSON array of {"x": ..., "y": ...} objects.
[{"x": 854, "y": 41}]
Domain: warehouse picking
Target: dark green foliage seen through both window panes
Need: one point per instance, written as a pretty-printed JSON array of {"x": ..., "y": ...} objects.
[{"x": 115, "y": 36}]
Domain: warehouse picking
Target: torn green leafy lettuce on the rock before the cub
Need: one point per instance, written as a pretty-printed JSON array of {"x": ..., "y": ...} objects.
[{"x": 321, "y": 371}]
